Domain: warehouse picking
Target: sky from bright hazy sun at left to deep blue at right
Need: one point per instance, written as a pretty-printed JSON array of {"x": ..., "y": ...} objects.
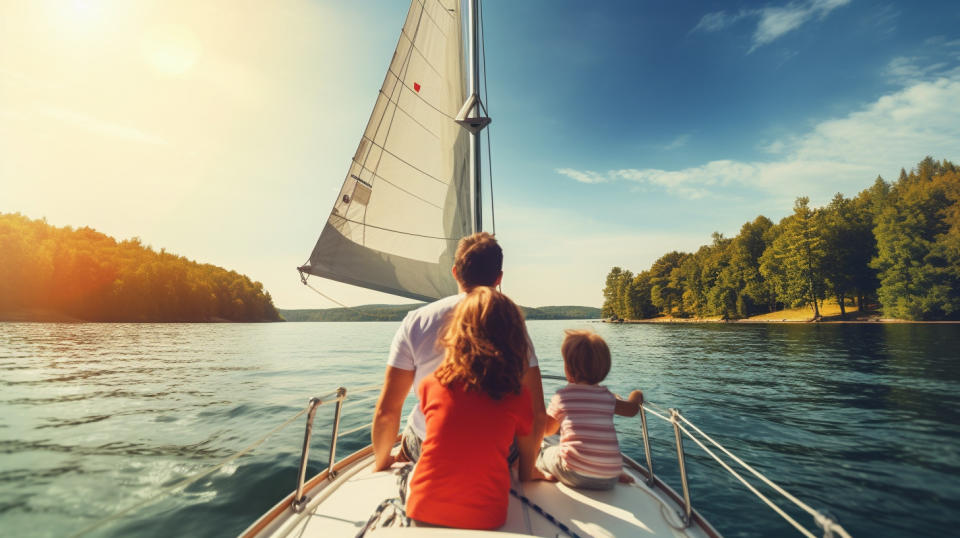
[{"x": 622, "y": 130}]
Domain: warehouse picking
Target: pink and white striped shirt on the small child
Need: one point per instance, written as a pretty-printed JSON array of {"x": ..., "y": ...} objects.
[{"x": 588, "y": 439}]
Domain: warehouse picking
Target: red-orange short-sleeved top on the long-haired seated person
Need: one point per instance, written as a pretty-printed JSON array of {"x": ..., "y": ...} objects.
[{"x": 462, "y": 478}]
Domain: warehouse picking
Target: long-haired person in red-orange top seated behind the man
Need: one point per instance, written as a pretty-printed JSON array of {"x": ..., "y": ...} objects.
[{"x": 474, "y": 404}]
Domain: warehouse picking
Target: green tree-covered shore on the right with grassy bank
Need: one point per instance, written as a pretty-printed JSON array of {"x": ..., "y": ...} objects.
[{"x": 894, "y": 247}]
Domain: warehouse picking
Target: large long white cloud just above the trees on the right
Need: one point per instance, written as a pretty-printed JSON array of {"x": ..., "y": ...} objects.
[{"x": 841, "y": 154}]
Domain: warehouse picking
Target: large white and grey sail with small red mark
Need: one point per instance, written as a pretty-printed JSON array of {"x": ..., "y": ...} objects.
[{"x": 406, "y": 199}]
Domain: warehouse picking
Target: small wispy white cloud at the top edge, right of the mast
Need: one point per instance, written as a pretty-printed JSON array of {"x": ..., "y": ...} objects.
[{"x": 773, "y": 22}]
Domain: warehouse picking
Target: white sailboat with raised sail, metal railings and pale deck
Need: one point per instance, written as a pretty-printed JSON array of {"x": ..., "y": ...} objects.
[{"x": 411, "y": 193}]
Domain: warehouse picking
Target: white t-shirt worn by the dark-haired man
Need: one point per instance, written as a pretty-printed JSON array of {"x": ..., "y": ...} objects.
[{"x": 415, "y": 347}]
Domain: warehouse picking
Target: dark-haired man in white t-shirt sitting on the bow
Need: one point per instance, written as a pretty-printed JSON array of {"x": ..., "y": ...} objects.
[{"x": 415, "y": 354}]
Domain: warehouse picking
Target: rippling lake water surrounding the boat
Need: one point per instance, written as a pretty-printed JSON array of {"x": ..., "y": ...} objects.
[{"x": 862, "y": 421}]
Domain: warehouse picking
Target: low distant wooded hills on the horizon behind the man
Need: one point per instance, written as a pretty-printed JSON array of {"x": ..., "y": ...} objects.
[{"x": 382, "y": 312}]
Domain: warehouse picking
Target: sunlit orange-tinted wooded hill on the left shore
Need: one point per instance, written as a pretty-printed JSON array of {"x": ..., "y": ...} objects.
[{"x": 51, "y": 273}]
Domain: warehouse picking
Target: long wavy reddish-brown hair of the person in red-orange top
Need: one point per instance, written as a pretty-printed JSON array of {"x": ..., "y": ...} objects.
[{"x": 486, "y": 345}]
